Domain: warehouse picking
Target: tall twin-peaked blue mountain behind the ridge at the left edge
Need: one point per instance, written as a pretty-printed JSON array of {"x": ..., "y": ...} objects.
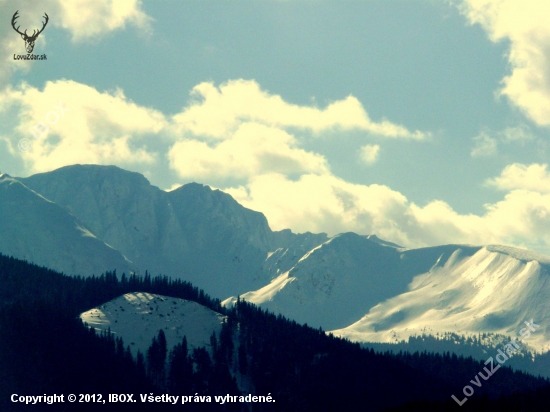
[{"x": 194, "y": 232}]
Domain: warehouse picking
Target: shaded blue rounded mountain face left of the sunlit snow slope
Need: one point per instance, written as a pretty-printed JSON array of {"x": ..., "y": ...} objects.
[{"x": 337, "y": 282}]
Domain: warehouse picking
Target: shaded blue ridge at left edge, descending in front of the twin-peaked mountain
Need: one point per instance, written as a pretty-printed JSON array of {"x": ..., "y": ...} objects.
[{"x": 40, "y": 231}]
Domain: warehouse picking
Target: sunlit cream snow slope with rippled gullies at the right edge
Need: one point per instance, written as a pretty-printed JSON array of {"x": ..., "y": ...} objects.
[{"x": 494, "y": 290}]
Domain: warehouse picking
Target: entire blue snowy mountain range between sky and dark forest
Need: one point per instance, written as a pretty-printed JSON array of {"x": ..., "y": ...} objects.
[{"x": 86, "y": 219}]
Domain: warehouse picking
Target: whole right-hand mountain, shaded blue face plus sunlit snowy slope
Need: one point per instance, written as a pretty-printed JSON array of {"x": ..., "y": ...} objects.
[{"x": 371, "y": 291}]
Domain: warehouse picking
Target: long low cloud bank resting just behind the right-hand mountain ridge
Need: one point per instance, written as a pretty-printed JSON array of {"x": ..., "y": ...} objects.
[{"x": 326, "y": 203}]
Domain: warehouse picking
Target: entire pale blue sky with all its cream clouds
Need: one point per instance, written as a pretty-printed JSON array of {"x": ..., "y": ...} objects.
[{"x": 424, "y": 122}]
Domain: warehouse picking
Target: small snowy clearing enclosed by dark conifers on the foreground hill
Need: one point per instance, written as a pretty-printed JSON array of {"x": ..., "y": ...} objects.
[{"x": 137, "y": 318}]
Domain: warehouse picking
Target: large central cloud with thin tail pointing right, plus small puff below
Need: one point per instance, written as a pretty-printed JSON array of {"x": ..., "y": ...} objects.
[{"x": 237, "y": 131}]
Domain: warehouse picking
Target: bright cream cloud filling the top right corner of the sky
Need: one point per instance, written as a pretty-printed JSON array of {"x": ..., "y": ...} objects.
[{"x": 525, "y": 24}]
